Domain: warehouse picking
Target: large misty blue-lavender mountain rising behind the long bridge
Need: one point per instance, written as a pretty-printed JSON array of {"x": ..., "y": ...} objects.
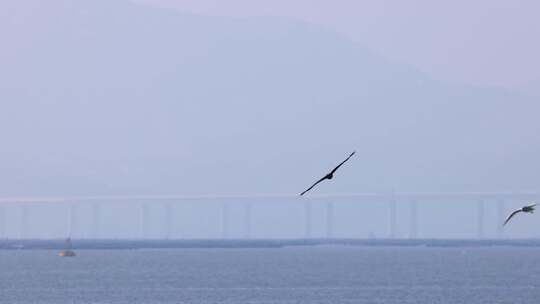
[{"x": 112, "y": 97}]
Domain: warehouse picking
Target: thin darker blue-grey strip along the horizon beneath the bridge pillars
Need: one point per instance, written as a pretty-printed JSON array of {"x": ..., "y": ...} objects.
[{"x": 239, "y": 243}]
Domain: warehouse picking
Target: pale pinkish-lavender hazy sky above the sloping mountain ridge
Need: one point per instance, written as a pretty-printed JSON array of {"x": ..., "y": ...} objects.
[{"x": 482, "y": 42}]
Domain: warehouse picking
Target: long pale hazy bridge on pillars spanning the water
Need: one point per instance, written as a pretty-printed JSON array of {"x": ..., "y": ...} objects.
[{"x": 249, "y": 203}]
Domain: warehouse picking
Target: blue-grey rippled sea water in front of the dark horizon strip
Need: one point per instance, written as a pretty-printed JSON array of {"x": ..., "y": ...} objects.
[{"x": 287, "y": 275}]
